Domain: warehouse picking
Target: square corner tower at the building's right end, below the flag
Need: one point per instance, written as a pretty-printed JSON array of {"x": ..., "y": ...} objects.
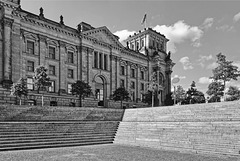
[{"x": 153, "y": 45}]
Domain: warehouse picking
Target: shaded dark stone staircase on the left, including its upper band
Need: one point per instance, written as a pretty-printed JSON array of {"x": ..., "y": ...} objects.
[{"x": 47, "y": 127}]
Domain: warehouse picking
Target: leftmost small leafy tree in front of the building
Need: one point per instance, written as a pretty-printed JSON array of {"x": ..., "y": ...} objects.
[{"x": 19, "y": 89}]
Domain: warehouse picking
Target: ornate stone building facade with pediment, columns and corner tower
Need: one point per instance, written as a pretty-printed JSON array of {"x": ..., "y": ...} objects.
[{"x": 86, "y": 53}]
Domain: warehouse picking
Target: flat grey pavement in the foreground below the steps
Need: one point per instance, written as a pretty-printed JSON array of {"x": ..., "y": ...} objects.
[{"x": 110, "y": 152}]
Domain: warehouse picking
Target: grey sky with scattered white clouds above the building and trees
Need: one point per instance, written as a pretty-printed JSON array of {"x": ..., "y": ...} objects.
[{"x": 198, "y": 30}]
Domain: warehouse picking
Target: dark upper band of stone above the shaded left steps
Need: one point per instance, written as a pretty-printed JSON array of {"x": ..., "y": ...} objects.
[{"x": 51, "y": 113}]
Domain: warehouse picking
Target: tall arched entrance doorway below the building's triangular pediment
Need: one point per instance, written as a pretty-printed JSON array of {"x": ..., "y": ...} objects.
[{"x": 99, "y": 90}]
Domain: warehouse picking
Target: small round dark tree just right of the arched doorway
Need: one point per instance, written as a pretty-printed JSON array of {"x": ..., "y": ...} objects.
[{"x": 120, "y": 94}]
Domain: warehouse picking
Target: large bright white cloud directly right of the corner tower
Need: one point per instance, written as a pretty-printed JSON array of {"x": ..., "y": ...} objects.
[{"x": 179, "y": 33}]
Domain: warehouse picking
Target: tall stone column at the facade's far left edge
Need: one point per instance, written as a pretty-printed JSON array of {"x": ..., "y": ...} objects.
[{"x": 7, "y": 26}]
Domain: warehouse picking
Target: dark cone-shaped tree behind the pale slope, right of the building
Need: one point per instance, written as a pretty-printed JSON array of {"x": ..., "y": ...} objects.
[{"x": 193, "y": 95}]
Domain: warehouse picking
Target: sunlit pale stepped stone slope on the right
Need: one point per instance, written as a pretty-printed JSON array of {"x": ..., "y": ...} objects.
[{"x": 206, "y": 128}]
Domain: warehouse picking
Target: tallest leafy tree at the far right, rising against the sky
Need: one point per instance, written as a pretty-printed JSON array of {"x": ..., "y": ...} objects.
[{"x": 225, "y": 71}]
